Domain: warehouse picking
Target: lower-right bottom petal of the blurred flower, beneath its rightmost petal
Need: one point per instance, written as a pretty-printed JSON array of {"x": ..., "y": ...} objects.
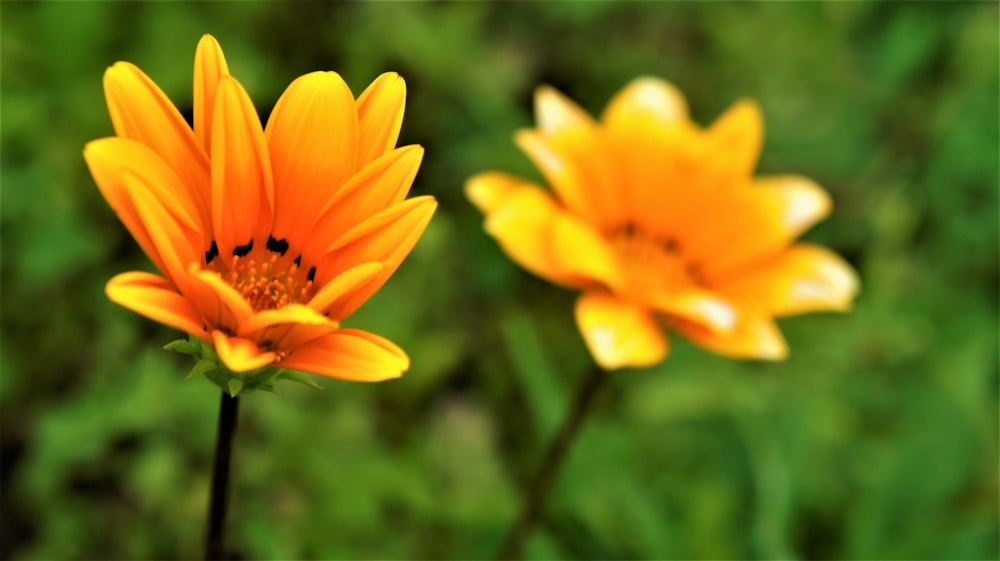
[{"x": 754, "y": 336}]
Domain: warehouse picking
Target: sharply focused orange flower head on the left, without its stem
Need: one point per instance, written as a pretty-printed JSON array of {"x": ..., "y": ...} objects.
[{"x": 266, "y": 238}]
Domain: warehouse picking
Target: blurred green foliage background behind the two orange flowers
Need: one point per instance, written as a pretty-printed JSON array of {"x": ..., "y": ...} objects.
[{"x": 877, "y": 439}]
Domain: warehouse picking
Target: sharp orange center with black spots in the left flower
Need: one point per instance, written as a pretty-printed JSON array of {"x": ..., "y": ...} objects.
[{"x": 267, "y": 279}]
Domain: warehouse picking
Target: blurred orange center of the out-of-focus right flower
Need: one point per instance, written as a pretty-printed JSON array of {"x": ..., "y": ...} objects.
[{"x": 651, "y": 262}]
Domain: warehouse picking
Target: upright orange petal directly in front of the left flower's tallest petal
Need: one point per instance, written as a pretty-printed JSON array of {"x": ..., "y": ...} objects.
[{"x": 242, "y": 191}]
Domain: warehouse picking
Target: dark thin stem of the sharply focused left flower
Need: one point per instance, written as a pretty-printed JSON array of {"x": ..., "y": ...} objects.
[{"x": 228, "y": 411}]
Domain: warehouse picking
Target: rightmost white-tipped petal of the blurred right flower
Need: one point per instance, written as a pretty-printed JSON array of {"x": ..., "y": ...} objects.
[{"x": 806, "y": 278}]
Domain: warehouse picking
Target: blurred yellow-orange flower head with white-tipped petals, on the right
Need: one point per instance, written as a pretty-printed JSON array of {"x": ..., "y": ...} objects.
[{"x": 661, "y": 224}]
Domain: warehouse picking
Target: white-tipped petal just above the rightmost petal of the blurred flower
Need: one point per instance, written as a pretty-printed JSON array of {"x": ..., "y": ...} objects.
[{"x": 761, "y": 221}]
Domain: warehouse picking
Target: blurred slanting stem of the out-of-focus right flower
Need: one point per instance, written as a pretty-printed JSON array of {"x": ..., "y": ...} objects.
[{"x": 554, "y": 457}]
